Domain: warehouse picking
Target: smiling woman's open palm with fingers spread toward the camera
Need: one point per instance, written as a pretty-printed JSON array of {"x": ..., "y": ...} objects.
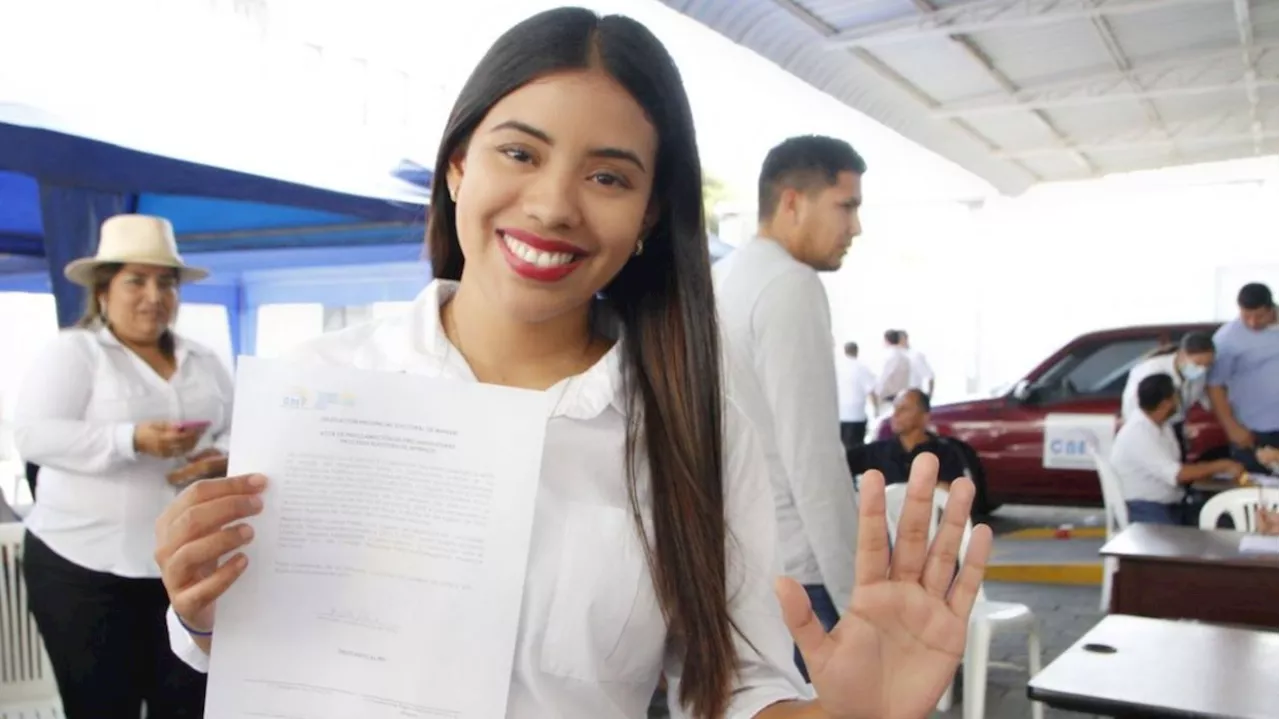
[{"x": 898, "y": 647}]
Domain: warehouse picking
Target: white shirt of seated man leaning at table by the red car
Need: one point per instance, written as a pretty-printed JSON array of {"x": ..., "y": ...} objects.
[{"x": 1148, "y": 460}]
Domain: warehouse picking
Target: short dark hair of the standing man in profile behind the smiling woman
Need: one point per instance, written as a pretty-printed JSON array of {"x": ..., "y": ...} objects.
[{"x": 806, "y": 164}]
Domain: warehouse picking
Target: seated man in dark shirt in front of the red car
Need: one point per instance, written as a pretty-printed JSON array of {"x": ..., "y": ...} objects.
[{"x": 912, "y": 437}]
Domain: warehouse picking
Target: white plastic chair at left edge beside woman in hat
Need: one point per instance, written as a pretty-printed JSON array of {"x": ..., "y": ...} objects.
[{"x": 28, "y": 686}]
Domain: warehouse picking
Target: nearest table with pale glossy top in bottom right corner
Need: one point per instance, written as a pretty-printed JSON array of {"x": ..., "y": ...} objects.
[{"x": 1162, "y": 668}]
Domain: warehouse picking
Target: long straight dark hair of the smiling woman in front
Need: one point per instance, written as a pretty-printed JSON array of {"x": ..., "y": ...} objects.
[{"x": 666, "y": 304}]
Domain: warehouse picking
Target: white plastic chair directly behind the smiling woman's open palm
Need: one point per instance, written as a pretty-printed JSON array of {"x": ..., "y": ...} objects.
[{"x": 988, "y": 619}]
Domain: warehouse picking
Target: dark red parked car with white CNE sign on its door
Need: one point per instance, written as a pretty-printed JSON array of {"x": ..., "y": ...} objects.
[{"x": 1003, "y": 438}]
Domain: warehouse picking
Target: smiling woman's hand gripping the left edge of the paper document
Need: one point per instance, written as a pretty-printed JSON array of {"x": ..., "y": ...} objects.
[{"x": 195, "y": 533}]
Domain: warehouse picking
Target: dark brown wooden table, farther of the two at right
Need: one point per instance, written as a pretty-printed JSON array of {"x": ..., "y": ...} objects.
[{"x": 1190, "y": 574}]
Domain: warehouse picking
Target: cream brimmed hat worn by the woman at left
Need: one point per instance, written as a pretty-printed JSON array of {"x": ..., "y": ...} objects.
[{"x": 140, "y": 240}]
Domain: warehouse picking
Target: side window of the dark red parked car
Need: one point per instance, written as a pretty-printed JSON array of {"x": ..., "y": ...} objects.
[{"x": 1095, "y": 369}]
